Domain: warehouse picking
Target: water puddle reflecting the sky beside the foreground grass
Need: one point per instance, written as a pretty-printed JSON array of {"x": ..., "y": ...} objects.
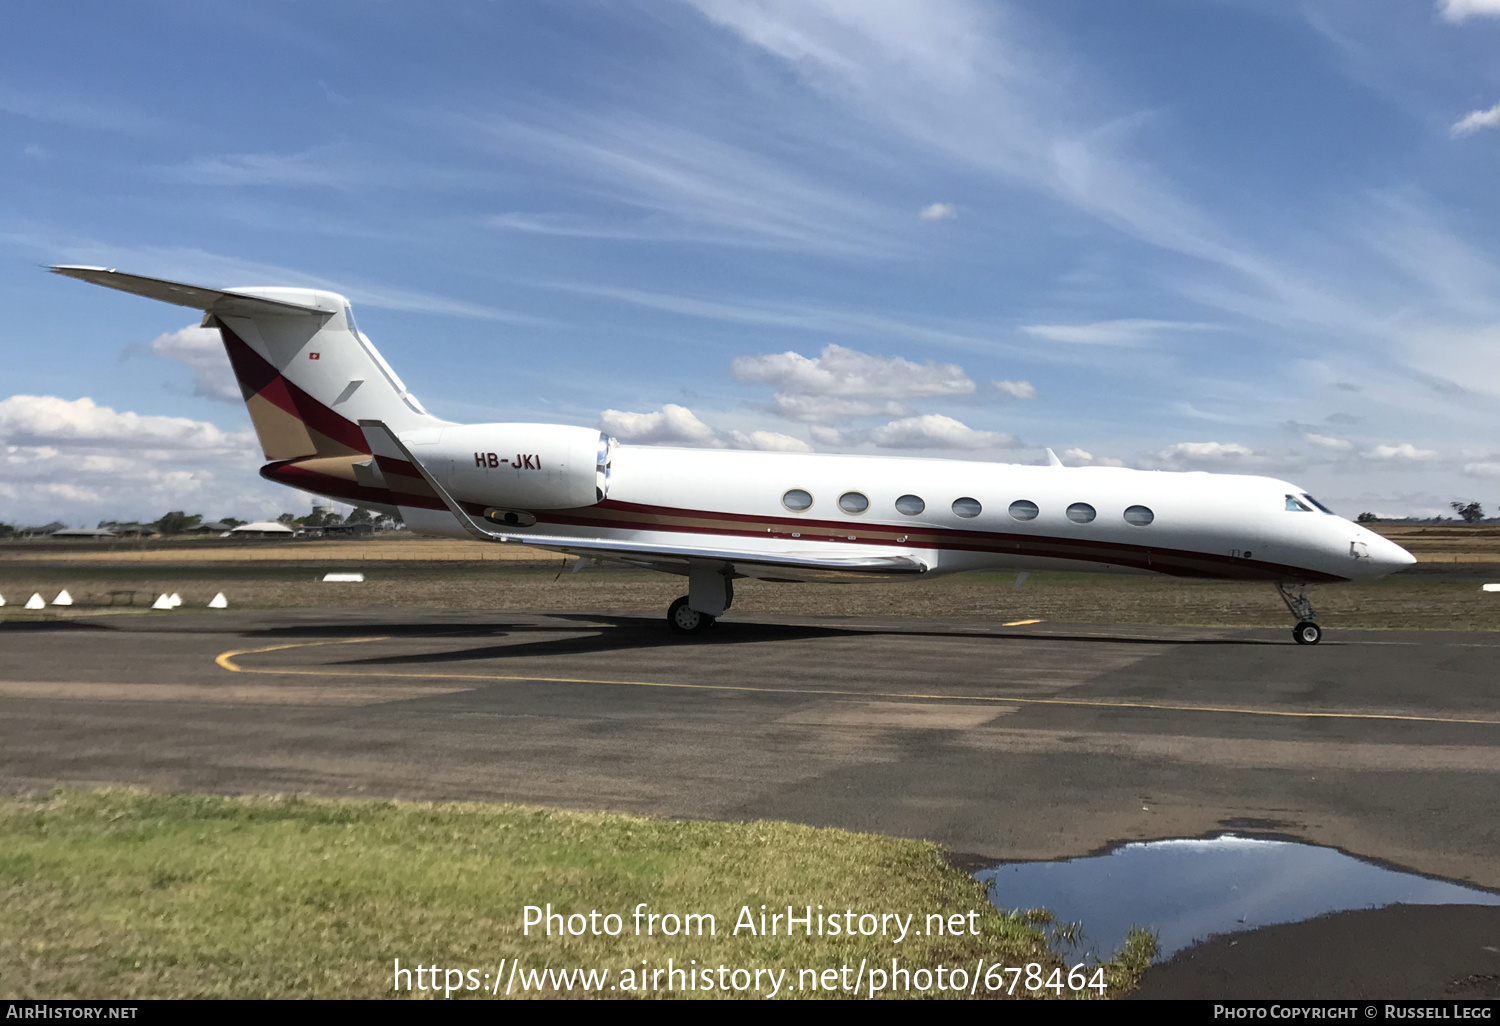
[{"x": 1190, "y": 890}]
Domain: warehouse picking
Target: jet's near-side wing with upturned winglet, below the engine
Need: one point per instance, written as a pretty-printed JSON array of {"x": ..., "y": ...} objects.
[{"x": 674, "y": 559}]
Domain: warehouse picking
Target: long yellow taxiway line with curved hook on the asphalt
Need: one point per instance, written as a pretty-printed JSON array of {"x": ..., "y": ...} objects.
[{"x": 227, "y": 661}]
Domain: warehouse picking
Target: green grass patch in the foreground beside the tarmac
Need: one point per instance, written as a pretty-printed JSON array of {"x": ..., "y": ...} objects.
[{"x": 128, "y": 895}]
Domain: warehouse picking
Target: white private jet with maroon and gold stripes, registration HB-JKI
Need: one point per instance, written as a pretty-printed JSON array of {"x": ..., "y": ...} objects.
[{"x": 335, "y": 419}]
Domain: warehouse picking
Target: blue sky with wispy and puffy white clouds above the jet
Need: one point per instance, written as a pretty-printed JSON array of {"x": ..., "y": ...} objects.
[{"x": 1180, "y": 235}]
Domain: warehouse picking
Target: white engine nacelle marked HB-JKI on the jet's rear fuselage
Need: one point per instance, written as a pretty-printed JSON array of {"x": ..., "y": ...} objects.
[{"x": 518, "y": 467}]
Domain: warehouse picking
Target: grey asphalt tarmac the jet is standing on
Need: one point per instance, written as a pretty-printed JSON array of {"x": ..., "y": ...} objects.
[{"x": 1000, "y": 742}]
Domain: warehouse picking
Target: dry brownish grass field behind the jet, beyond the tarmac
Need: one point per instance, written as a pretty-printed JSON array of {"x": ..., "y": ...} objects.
[{"x": 1441, "y": 593}]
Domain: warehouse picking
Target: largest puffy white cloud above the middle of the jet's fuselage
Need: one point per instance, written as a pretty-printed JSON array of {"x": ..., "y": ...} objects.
[{"x": 850, "y": 373}]
